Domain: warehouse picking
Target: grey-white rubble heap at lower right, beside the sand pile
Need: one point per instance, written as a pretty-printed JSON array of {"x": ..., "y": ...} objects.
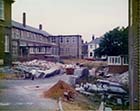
[{"x": 100, "y": 87}]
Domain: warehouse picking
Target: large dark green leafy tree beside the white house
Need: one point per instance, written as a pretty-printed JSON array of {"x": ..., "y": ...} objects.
[{"x": 114, "y": 43}]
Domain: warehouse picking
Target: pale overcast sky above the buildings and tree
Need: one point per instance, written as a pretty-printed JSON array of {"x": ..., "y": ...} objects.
[{"x": 83, "y": 17}]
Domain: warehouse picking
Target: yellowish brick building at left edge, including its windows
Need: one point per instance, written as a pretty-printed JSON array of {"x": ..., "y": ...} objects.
[{"x": 5, "y": 32}]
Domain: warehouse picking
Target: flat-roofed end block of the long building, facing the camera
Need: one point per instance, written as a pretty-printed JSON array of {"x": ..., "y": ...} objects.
[{"x": 69, "y": 46}]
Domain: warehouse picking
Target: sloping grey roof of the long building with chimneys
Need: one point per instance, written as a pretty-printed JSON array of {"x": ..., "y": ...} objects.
[{"x": 29, "y": 28}]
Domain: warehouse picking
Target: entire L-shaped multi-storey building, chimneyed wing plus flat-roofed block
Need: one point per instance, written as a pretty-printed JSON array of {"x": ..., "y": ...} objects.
[{"x": 30, "y": 43}]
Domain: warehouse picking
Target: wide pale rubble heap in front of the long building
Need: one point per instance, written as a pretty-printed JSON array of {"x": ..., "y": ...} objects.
[{"x": 39, "y": 68}]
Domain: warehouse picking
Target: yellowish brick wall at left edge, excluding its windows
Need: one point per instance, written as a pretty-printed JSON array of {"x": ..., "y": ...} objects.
[{"x": 5, "y": 29}]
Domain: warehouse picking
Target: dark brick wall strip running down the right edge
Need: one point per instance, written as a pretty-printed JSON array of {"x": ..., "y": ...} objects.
[{"x": 134, "y": 54}]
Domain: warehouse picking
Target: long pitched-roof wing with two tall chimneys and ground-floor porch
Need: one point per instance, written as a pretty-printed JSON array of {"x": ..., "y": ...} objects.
[{"x": 30, "y": 43}]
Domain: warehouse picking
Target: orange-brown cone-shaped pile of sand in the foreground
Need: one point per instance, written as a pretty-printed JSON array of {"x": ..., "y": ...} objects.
[{"x": 58, "y": 90}]
